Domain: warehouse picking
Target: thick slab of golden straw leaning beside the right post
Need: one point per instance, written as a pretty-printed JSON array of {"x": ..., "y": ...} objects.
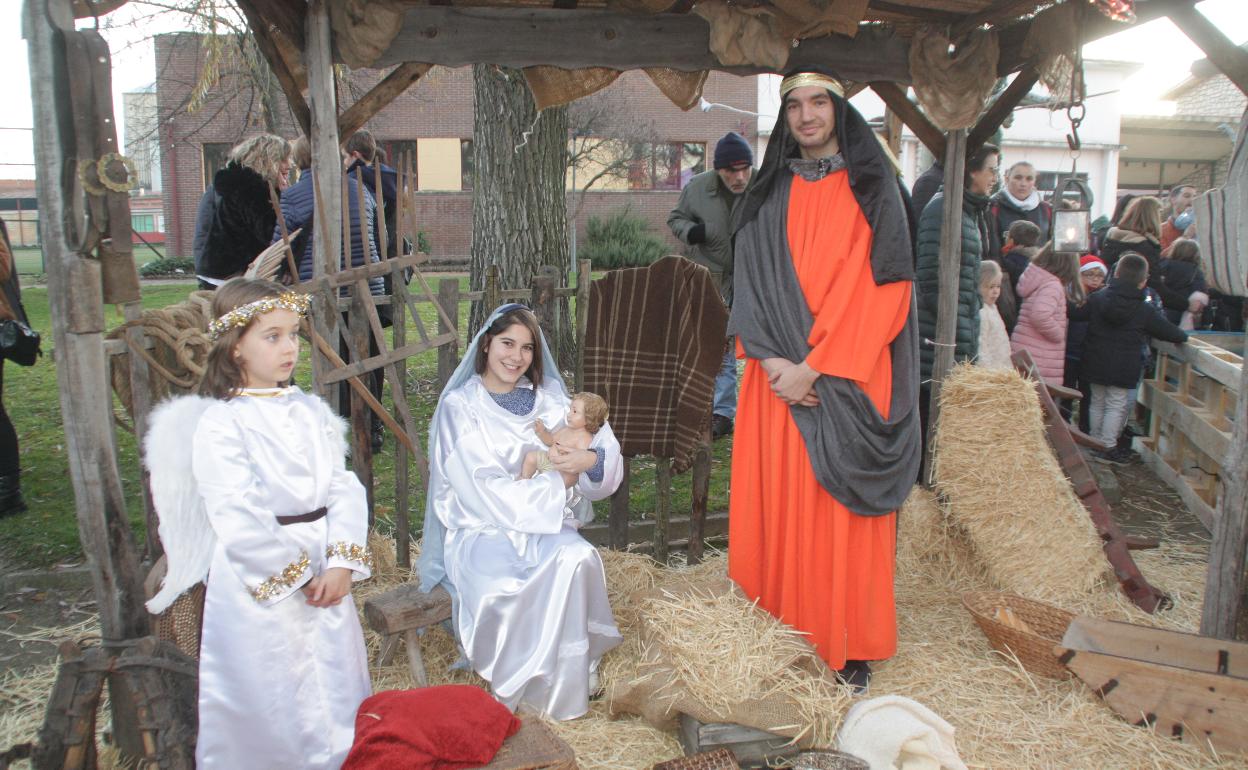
[{"x": 1007, "y": 490}]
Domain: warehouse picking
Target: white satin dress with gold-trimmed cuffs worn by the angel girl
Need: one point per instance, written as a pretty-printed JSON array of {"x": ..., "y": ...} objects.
[{"x": 280, "y": 681}]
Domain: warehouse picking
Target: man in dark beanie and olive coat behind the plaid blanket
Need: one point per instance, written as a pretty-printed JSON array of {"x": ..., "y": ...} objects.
[{"x": 702, "y": 219}]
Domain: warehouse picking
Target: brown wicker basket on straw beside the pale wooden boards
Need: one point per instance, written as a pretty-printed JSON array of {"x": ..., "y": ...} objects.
[{"x": 1024, "y": 627}]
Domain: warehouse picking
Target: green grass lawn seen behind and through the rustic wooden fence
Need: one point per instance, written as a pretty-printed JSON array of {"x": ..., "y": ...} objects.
[{"x": 48, "y": 534}]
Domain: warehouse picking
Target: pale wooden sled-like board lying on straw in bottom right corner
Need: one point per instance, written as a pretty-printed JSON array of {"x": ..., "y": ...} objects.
[{"x": 1182, "y": 686}]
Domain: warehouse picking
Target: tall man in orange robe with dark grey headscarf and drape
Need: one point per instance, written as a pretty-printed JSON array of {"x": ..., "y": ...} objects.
[{"x": 827, "y": 440}]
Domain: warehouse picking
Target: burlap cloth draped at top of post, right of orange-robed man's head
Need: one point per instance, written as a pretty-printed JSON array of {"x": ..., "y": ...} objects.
[{"x": 953, "y": 89}]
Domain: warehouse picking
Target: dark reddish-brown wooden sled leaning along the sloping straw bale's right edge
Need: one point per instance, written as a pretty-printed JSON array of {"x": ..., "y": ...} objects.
[{"x": 1118, "y": 546}]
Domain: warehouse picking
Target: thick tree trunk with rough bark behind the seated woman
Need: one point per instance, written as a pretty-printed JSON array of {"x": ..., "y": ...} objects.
[{"x": 520, "y": 210}]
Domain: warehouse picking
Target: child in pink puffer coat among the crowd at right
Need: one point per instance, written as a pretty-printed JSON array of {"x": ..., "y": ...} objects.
[{"x": 1043, "y": 294}]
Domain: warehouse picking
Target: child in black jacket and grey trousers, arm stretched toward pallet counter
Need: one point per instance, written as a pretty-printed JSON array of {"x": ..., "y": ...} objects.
[{"x": 1120, "y": 324}]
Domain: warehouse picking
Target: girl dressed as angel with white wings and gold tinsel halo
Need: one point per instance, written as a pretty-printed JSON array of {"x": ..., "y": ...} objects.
[{"x": 253, "y": 492}]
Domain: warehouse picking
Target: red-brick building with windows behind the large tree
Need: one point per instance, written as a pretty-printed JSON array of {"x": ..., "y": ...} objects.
[{"x": 432, "y": 124}]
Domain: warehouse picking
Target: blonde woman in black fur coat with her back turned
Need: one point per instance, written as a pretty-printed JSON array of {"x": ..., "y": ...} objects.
[{"x": 236, "y": 218}]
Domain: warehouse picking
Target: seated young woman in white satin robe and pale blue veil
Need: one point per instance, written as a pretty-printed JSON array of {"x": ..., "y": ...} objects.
[{"x": 530, "y": 595}]
